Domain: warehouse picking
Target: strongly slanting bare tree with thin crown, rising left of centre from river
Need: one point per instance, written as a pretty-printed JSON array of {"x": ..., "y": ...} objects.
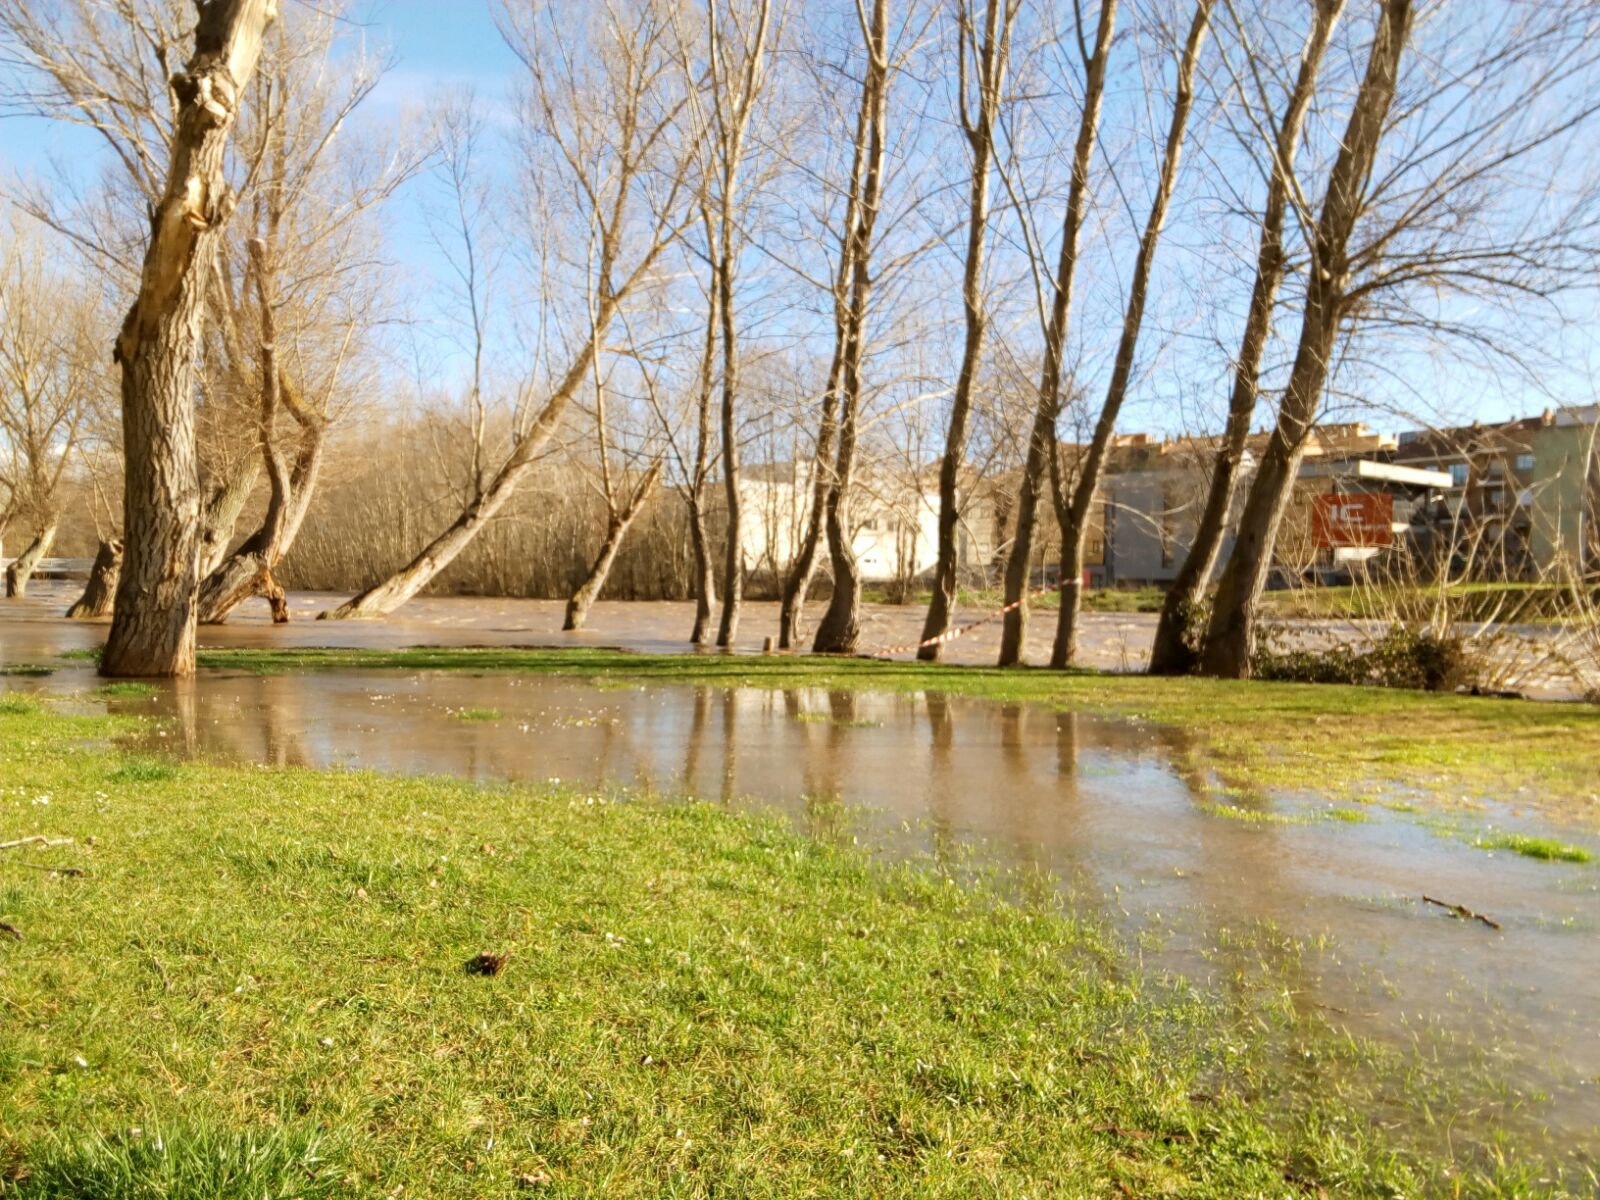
[{"x": 606, "y": 119}]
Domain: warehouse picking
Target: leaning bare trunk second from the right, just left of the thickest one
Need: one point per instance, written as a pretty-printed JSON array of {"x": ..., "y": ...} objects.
[{"x": 1172, "y": 654}]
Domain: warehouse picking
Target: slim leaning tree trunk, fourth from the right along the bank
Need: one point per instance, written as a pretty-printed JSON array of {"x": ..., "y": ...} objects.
[{"x": 1042, "y": 438}]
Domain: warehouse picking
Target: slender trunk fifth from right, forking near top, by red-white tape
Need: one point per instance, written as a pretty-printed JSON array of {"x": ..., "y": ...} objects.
[{"x": 991, "y": 63}]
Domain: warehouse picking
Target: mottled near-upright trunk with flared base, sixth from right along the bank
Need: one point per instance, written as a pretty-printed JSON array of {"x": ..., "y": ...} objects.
[{"x": 841, "y": 626}]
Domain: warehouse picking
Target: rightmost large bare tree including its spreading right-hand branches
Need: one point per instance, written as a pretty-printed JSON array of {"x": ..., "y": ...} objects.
[{"x": 1452, "y": 218}]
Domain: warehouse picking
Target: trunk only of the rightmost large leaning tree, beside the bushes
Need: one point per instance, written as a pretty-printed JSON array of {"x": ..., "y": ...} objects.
[{"x": 1231, "y": 633}]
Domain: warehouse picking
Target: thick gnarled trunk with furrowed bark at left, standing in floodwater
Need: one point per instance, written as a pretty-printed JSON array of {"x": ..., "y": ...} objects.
[{"x": 154, "y": 623}]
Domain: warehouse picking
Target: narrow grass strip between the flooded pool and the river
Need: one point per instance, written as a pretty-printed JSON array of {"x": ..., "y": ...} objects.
[{"x": 1350, "y": 743}]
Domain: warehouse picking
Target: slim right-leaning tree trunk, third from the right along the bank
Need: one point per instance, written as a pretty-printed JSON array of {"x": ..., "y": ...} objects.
[{"x": 1074, "y": 518}]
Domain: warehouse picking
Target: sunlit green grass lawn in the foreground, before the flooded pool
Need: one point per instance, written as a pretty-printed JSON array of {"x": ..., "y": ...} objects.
[{"x": 244, "y": 982}]
